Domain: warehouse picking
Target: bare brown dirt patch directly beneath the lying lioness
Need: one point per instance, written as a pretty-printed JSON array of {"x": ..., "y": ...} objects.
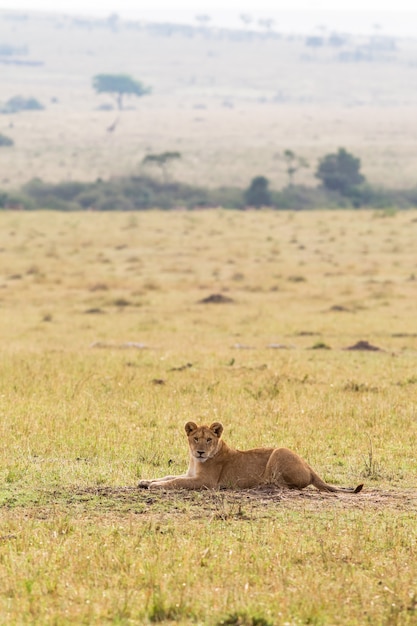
[{"x": 224, "y": 504}]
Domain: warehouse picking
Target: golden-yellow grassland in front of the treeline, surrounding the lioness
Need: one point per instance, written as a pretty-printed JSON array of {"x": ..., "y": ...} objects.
[{"x": 107, "y": 351}]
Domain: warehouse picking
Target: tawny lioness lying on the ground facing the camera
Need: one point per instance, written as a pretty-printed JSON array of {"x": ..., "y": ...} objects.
[{"x": 214, "y": 464}]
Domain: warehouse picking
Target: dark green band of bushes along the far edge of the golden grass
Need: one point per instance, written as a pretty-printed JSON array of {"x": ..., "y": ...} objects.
[{"x": 137, "y": 193}]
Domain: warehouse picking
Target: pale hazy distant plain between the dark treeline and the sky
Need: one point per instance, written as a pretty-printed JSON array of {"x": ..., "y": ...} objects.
[{"x": 230, "y": 104}]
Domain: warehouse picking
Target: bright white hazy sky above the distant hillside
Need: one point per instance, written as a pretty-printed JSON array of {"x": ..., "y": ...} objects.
[{"x": 396, "y": 16}]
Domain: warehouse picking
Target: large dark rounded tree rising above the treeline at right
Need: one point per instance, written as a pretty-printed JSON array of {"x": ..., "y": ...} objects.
[{"x": 340, "y": 172}]
